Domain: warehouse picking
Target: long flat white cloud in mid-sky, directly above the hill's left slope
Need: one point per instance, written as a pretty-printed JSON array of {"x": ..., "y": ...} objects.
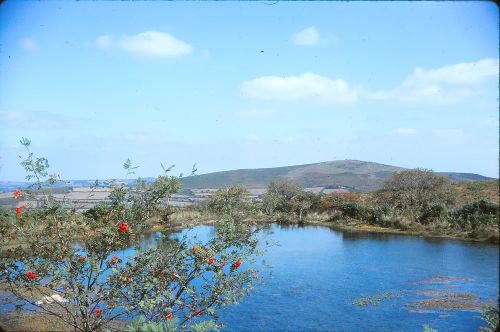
[{"x": 306, "y": 87}]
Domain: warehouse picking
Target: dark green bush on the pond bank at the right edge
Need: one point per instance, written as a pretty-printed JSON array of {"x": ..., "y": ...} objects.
[{"x": 475, "y": 214}]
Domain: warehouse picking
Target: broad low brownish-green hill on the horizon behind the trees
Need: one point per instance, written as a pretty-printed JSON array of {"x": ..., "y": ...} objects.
[{"x": 354, "y": 174}]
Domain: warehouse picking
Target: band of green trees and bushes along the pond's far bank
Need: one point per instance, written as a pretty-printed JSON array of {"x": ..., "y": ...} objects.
[{"x": 410, "y": 200}]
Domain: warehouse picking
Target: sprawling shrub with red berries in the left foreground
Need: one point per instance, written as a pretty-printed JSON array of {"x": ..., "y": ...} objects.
[{"x": 76, "y": 258}]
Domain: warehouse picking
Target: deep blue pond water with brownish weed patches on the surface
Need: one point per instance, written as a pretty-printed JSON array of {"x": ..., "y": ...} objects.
[{"x": 327, "y": 280}]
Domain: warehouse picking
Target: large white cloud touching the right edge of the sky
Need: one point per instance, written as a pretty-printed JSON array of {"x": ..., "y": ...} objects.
[{"x": 444, "y": 85}]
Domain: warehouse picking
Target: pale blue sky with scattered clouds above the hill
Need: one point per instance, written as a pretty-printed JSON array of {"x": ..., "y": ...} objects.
[{"x": 232, "y": 85}]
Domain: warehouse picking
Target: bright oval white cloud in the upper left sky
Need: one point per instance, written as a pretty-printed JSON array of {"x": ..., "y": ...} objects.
[{"x": 149, "y": 44}]
